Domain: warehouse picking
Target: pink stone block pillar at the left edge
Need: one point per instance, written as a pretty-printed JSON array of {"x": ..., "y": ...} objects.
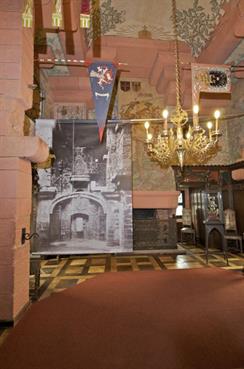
[{"x": 16, "y": 152}]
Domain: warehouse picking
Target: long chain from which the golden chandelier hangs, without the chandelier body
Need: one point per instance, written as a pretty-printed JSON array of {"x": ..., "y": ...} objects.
[{"x": 177, "y": 57}]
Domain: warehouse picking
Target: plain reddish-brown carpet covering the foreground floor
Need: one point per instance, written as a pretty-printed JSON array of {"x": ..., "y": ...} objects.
[{"x": 191, "y": 319}]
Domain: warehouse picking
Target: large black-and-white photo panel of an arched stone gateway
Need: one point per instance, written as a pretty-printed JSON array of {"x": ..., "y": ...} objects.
[{"x": 84, "y": 202}]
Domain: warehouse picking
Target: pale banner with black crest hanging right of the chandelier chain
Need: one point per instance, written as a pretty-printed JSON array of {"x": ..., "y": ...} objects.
[{"x": 209, "y": 78}]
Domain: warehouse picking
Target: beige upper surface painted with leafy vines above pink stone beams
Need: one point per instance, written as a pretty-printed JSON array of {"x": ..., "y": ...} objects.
[{"x": 197, "y": 19}]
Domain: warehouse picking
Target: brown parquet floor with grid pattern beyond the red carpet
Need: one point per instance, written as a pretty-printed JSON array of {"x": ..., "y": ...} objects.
[{"x": 60, "y": 273}]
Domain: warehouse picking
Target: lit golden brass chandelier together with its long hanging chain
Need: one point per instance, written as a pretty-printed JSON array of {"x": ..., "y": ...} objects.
[{"x": 183, "y": 143}]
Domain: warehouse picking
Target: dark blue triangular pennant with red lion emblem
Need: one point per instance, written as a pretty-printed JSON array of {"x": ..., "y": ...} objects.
[{"x": 102, "y": 76}]
